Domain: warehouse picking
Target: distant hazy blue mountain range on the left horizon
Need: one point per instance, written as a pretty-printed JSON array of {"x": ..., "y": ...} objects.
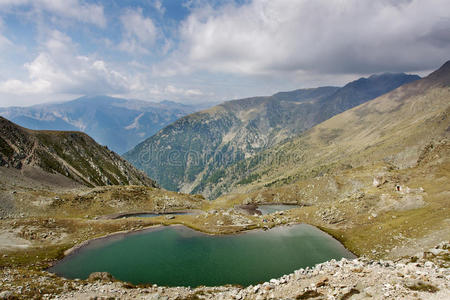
[{"x": 118, "y": 123}]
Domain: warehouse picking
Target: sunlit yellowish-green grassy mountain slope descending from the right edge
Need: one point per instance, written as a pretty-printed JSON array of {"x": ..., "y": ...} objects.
[{"x": 392, "y": 129}]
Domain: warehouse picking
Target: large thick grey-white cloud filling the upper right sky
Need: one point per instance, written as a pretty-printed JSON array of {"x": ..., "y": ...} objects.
[{"x": 315, "y": 36}]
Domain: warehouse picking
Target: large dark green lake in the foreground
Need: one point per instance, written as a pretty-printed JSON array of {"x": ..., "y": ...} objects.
[{"x": 179, "y": 256}]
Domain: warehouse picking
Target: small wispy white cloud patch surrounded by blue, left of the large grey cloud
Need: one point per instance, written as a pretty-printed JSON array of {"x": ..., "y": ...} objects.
[{"x": 139, "y": 32}]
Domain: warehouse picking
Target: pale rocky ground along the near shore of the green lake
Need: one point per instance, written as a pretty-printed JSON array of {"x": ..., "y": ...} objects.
[{"x": 423, "y": 276}]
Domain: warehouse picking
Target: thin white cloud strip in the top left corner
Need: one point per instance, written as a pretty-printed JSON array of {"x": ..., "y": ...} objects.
[{"x": 73, "y": 9}]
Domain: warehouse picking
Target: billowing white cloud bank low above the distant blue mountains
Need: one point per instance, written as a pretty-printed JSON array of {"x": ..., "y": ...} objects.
[{"x": 58, "y": 71}]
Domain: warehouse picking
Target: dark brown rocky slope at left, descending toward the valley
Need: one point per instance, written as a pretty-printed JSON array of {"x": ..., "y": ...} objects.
[{"x": 71, "y": 154}]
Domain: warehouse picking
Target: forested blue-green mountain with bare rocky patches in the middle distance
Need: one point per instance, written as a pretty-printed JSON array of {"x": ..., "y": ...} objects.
[{"x": 185, "y": 155}]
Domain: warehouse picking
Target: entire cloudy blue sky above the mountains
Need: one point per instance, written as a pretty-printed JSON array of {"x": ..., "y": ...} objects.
[{"x": 197, "y": 51}]
